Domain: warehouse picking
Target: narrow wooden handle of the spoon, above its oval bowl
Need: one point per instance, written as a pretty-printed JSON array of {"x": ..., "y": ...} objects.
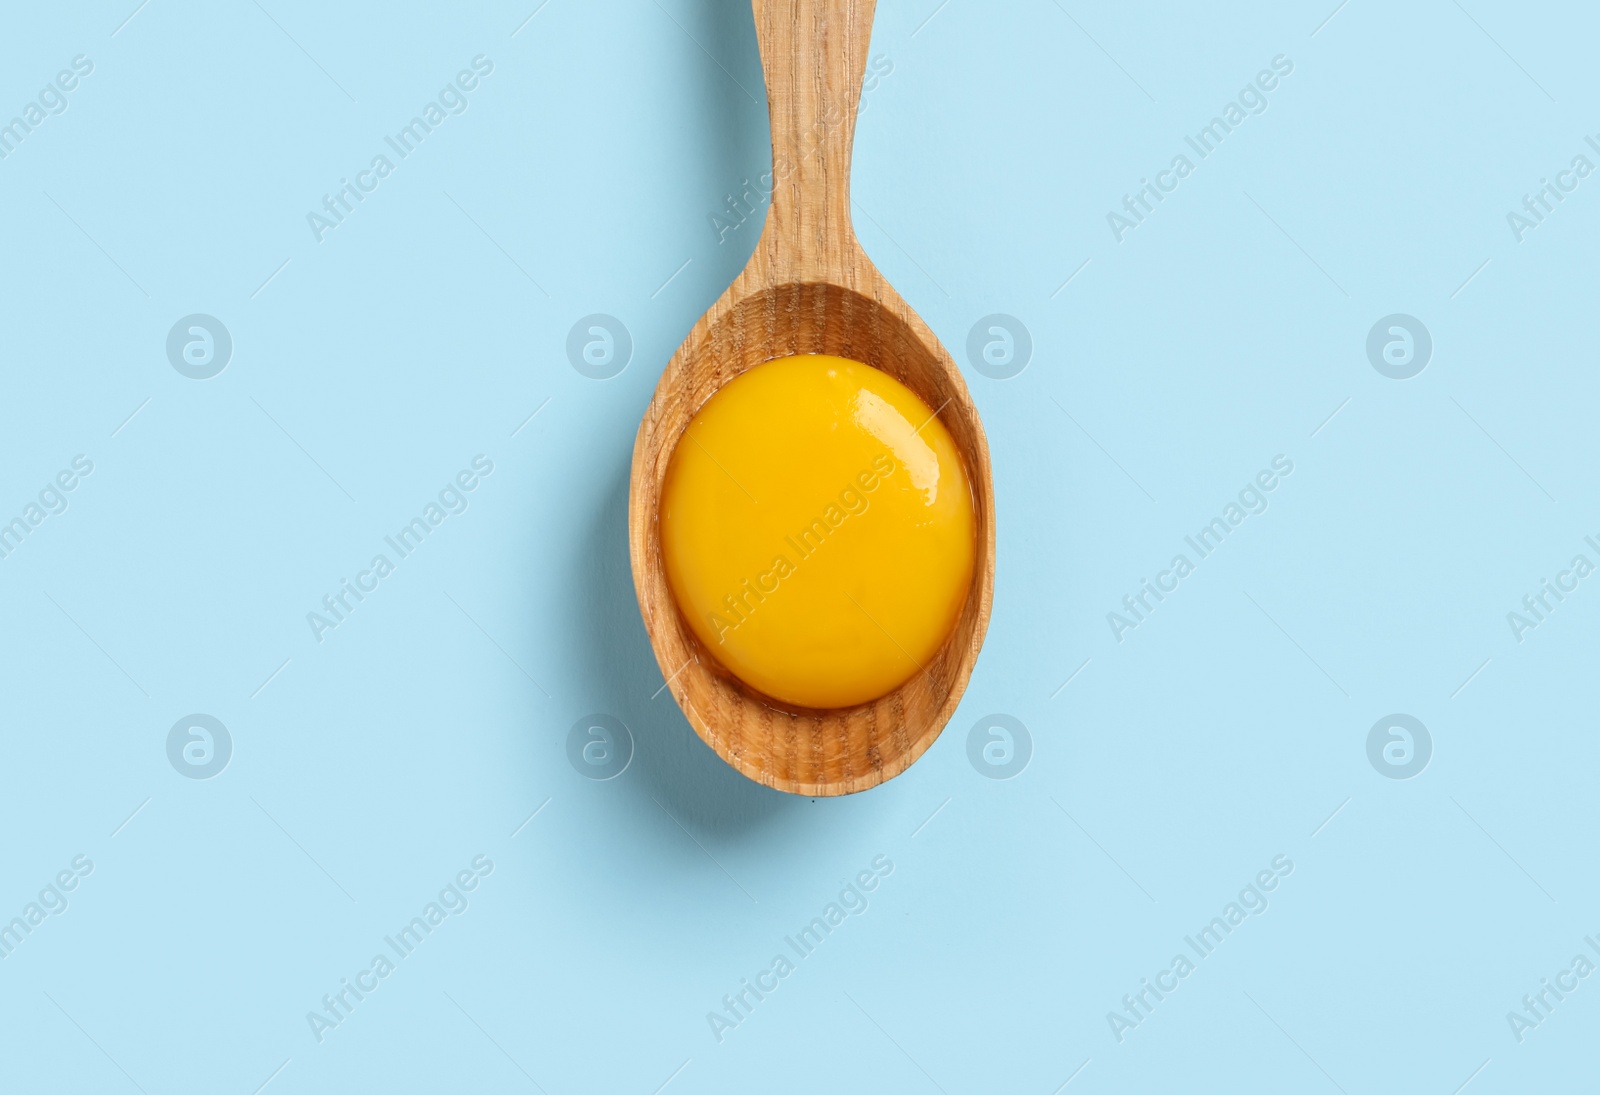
[{"x": 815, "y": 54}]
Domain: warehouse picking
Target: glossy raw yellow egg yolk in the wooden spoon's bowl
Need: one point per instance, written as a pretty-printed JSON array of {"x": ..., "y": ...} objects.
[{"x": 818, "y": 531}]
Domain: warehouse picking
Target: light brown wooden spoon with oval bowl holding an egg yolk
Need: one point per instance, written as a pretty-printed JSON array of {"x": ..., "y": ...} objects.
[{"x": 809, "y": 291}]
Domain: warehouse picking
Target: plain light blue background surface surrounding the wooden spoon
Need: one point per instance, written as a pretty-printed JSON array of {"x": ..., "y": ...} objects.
[{"x": 428, "y": 728}]
